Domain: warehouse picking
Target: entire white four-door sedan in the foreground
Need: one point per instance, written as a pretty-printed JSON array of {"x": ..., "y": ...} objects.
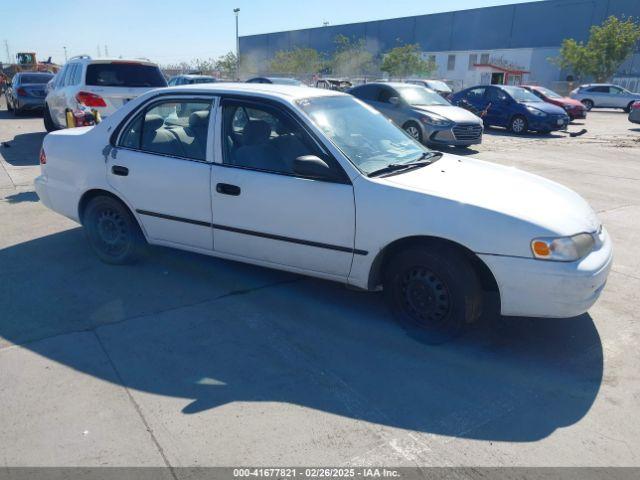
[{"x": 316, "y": 182}]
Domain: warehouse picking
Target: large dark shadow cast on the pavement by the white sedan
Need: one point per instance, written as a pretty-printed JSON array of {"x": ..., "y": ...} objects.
[{"x": 209, "y": 332}]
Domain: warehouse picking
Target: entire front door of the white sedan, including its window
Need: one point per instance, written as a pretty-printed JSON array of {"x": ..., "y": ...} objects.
[{"x": 262, "y": 209}]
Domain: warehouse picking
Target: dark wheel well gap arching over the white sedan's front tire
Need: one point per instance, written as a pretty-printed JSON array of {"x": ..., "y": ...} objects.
[{"x": 376, "y": 274}]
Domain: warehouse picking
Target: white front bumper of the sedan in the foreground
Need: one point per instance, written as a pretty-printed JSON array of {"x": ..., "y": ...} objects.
[{"x": 538, "y": 288}]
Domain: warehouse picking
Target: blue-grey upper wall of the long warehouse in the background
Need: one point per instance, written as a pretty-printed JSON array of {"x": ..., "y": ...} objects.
[{"x": 536, "y": 24}]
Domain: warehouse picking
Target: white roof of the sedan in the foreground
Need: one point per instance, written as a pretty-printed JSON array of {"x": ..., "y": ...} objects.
[{"x": 284, "y": 92}]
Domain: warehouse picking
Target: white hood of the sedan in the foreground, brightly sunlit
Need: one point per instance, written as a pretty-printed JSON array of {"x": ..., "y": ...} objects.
[{"x": 508, "y": 191}]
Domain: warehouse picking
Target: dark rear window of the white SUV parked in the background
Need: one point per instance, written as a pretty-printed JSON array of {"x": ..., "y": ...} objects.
[{"x": 124, "y": 75}]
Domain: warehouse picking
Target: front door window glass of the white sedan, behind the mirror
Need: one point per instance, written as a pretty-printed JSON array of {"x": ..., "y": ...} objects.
[{"x": 263, "y": 138}]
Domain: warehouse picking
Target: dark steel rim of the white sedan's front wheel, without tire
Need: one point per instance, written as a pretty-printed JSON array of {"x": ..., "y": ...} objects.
[{"x": 425, "y": 297}]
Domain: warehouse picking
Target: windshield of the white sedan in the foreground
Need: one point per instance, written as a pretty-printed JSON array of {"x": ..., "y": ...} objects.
[{"x": 365, "y": 136}]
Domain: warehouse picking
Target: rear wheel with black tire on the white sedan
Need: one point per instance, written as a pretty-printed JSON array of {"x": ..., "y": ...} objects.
[{"x": 112, "y": 231}]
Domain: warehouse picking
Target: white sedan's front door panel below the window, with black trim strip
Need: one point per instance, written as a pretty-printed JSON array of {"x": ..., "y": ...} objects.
[{"x": 298, "y": 222}]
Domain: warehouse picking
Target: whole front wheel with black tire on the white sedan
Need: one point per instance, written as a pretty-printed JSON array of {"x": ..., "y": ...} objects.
[{"x": 433, "y": 292}]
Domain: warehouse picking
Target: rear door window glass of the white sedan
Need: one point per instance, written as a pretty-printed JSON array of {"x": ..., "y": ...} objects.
[{"x": 175, "y": 128}]
